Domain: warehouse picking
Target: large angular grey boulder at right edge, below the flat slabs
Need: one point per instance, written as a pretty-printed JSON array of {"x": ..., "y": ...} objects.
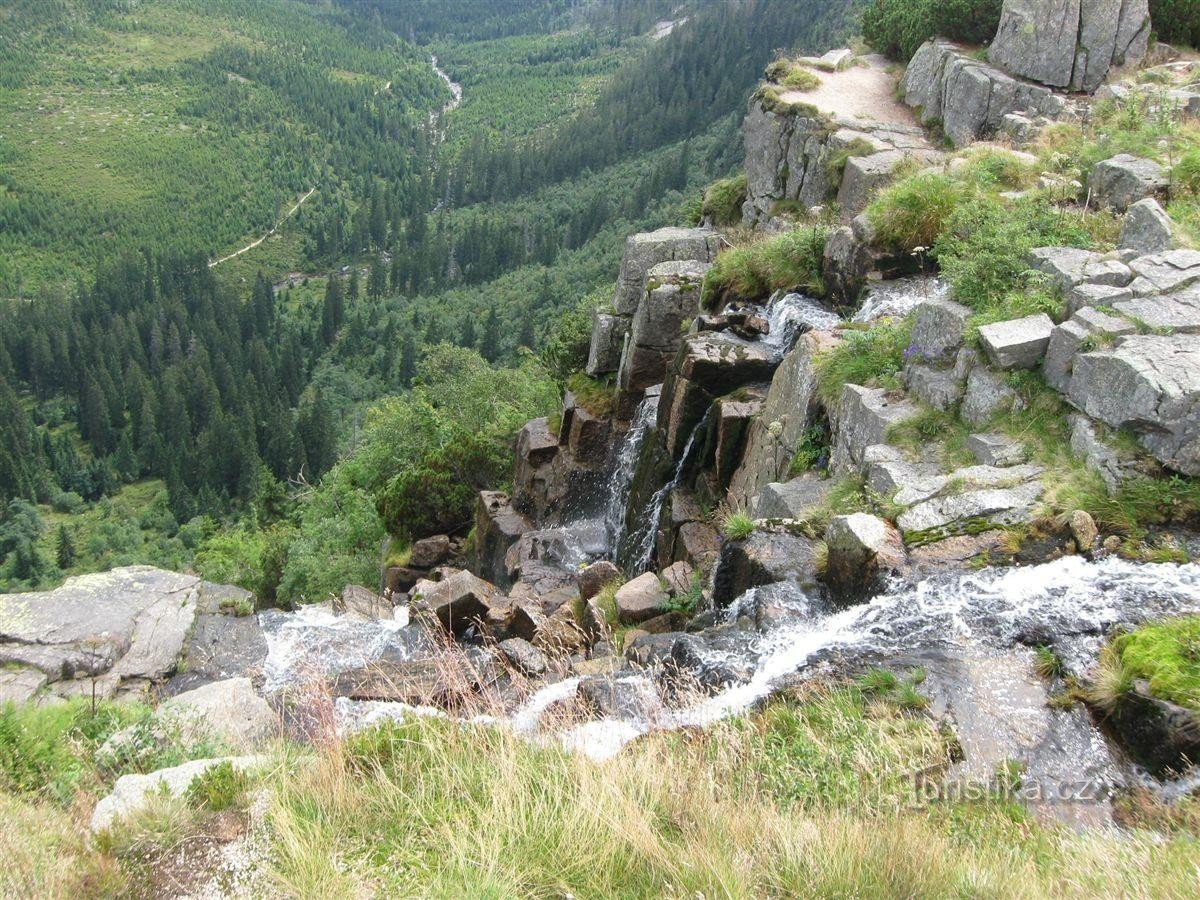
[{"x": 1151, "y": 386}]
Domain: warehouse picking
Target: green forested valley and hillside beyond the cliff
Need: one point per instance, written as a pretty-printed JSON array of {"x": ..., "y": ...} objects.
[{"x": 158, "y": 409}]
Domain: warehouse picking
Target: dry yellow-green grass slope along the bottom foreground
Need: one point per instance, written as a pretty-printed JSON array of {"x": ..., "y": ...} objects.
[{"x": 813, "y": 797}]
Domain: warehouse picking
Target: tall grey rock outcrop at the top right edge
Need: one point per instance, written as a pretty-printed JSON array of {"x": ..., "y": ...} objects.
[{"x": 1071, "y": 44}]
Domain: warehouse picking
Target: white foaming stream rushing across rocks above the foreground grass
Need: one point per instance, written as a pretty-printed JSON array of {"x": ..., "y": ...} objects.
[{"x": 1072, "y": 601}]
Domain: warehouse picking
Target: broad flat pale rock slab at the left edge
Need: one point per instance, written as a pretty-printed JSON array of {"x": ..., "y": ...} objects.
[{"x": 125, "y": 629}]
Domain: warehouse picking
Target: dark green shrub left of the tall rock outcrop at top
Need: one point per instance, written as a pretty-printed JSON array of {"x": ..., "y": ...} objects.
[{"x": 897, "y": 28}]
